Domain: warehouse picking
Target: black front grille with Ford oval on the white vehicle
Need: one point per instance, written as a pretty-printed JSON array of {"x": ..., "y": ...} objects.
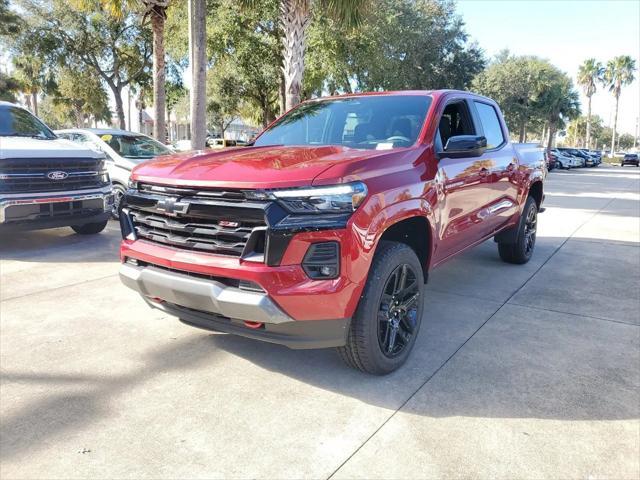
[{"x": 30, "y": 175}]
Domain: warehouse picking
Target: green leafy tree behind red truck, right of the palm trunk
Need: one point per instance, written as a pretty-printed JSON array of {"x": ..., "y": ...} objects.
[{"x": 399, "y": 44}]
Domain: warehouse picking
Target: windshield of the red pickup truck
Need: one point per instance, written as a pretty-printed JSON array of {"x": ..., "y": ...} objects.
[{"x": 375, "y": 122}]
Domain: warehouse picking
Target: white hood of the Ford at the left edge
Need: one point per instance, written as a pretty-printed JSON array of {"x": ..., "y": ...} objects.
[{"x": 25, "y": 147}]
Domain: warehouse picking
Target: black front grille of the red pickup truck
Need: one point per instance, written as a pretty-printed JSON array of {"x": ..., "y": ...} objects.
[{"x": 195, "y": 222}]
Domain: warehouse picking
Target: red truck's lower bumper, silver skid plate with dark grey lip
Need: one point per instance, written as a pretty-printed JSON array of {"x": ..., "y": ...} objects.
[{"x": 211, "y": 305}]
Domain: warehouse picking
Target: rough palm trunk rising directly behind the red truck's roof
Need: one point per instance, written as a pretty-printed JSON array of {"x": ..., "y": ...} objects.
[{"x": 295, "y": 16}]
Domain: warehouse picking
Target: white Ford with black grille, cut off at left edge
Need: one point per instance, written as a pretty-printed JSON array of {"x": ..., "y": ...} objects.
[{"x": 47, "y": 182}]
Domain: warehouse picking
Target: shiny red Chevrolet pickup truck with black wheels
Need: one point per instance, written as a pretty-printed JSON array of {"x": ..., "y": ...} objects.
[{"x": 323, "y": 233}]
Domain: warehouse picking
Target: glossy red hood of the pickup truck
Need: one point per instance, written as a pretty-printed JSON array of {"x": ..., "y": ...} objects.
[{"x": 248, "y": 167}]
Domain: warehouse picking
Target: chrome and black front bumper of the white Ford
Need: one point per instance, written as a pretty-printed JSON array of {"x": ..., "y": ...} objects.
[{"x": 46, "y": 210}]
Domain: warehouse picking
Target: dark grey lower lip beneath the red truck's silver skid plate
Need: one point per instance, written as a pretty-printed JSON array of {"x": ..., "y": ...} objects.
[{"x": 294, "y": 334}]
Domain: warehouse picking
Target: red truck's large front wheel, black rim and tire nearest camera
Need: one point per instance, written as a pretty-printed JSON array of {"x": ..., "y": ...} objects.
[{"x": 368, "y": 347}]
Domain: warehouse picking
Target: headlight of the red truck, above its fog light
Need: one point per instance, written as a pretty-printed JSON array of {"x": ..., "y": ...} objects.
[{"x": 332, "y": 199}]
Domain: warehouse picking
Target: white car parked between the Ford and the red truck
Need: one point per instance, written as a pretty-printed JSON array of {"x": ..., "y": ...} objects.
[{"x": 124, "y": 150}]
